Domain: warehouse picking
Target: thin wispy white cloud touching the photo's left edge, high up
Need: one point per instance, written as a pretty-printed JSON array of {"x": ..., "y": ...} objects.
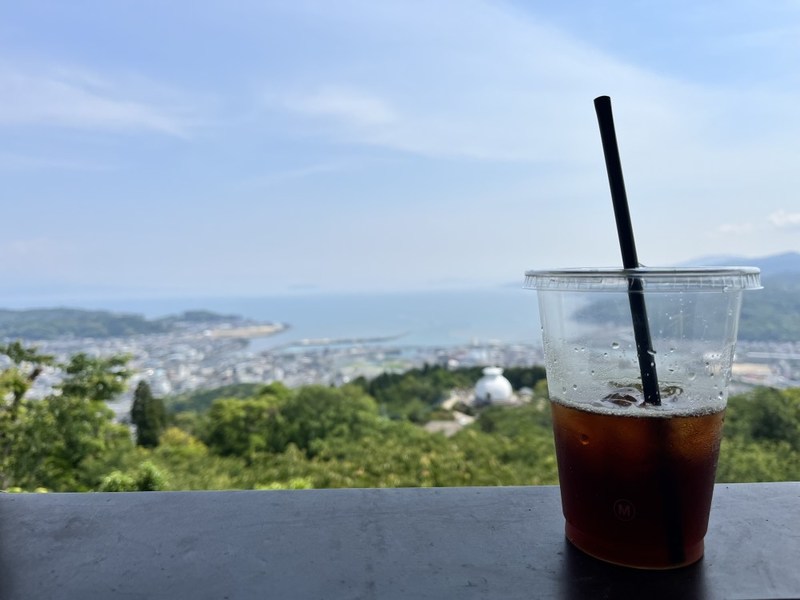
[{"x": 79, "y": 99}]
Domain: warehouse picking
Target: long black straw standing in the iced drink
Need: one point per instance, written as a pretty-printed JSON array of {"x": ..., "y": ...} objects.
[{"x": 627, "y": 244}]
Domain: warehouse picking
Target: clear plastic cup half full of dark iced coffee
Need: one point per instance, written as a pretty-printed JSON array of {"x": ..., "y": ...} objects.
[{"x": 637, "y": 478}]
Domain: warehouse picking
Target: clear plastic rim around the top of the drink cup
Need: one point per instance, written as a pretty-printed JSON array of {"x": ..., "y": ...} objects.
[{"x": 694, "y": 279}]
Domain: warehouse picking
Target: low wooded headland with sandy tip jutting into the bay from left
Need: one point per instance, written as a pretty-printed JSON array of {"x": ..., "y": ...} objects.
[{"x": 54, "y": 323}]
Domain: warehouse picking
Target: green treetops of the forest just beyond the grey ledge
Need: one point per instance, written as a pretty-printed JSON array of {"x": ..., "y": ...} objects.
[{"x": 369, "y": 433}]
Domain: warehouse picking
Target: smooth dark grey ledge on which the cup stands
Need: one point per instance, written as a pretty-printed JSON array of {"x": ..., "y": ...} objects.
[{"x": 390, "y": 543}]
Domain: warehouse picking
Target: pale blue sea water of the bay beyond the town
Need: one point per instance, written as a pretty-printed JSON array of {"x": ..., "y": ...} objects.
[{"x": 429, "y": 318}]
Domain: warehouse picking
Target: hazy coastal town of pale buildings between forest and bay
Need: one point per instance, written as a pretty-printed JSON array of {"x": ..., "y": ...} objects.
[{"x": 211, "y": 355}]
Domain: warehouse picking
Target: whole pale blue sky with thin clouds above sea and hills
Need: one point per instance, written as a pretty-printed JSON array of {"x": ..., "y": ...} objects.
[{"x": 218, "y": 148}]
